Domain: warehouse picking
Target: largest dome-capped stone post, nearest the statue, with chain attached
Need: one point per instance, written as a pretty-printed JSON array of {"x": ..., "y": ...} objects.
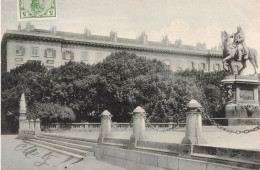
[{"x": 193, "y": 124}]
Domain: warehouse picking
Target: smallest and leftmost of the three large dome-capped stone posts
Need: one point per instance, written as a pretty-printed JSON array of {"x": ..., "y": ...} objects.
[{"x": 105, "y": 126}]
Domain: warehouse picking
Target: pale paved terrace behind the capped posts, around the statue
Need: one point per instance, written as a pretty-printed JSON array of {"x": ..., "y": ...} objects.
[{"x": 213, "y": 136}]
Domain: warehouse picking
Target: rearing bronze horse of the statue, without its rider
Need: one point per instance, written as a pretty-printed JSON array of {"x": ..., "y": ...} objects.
[{"x": 229, "y": 54}]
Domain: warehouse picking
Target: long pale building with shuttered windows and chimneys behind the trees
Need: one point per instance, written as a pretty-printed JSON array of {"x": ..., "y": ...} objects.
[{"x": 54, "y": 48}]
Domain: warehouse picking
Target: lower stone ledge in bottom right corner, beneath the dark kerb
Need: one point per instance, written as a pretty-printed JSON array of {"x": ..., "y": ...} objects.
[{"x": 225, "y": 160}]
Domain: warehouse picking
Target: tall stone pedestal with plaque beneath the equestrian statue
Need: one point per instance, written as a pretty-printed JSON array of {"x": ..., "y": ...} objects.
[{"x": 244, "y": 109}]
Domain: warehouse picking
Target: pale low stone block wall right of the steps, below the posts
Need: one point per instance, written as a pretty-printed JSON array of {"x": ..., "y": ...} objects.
[{"x": 135, "y": 160}]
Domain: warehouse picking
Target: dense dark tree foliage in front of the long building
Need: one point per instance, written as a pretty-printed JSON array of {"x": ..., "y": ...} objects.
[{"x": 120, "y": 83}]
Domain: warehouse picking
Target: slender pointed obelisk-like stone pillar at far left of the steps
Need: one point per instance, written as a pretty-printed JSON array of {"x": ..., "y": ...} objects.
[{"x": 22, "y": 116}]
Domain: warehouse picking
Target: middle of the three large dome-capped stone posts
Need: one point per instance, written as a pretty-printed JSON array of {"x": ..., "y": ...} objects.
[{"x": 138, "y": 126}]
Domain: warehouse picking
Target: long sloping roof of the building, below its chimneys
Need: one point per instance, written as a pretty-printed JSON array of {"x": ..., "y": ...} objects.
[{"x": 106, "y": 41}]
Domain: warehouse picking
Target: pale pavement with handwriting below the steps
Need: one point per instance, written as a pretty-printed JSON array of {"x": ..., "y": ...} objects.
[{"x": 17, "y": 155}]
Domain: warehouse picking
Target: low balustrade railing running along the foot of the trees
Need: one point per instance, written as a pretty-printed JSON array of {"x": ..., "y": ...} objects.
[{"x": 97, "y": 126}]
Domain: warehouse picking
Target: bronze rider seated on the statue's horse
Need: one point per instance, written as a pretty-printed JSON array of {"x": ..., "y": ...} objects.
[{"x": 238, "y": 40}]
